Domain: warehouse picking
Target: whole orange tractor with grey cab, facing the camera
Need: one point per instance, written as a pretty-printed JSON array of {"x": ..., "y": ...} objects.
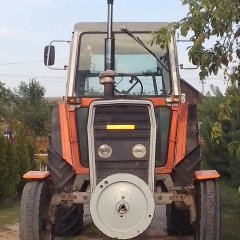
[{"x": 124, "y": 141}]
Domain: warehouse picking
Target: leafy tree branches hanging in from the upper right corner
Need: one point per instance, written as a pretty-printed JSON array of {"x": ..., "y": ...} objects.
[{"x": 213, "y": 27}]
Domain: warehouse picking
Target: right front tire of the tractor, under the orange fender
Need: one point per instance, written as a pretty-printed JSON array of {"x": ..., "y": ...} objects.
[{"x": 208, "y": 211}]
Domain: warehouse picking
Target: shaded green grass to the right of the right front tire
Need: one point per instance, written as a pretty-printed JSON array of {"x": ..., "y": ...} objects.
[{"x": 230, "y": 211}]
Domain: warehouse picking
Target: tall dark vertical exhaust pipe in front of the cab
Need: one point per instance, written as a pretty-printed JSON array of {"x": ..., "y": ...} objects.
[{"x": 107, "y": 77}]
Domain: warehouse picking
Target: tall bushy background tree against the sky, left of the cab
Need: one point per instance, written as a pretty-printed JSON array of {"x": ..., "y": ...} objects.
[{"x": 32, "y": 109}]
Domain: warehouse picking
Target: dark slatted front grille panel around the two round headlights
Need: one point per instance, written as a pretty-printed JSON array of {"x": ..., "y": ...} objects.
[{"x": 121, "y": 141}]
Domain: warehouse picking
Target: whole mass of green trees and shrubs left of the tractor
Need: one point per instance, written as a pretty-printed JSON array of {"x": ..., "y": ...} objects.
[{"x": 26, "y": 112}]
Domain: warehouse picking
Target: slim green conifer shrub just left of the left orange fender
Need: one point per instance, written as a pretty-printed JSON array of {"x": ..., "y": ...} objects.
[{"x": 23, "y": 155}]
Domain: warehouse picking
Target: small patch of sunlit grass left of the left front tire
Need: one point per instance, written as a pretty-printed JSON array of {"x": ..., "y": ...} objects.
[{"x": 9, "y": 213}]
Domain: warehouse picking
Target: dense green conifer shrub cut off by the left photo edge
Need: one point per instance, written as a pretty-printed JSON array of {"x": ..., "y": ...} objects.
[{"x": 9, "y": 169}]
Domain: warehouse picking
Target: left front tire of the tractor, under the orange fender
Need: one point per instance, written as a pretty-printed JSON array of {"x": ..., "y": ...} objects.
[{"x": 34, "y": 219}]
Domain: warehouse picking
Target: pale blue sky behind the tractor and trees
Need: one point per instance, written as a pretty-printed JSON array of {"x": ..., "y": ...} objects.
[{"x": 26, "y": 26}]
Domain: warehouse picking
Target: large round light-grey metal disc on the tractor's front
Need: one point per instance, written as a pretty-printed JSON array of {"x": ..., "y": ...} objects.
[{"x": 122, "y": 206}]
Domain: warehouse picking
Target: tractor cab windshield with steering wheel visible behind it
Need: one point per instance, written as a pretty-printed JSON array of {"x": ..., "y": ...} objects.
[{"x": 139, "y": 72}]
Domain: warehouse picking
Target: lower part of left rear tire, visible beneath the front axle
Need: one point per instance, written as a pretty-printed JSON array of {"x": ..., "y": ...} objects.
[{"x": 69, "y": 220}]
